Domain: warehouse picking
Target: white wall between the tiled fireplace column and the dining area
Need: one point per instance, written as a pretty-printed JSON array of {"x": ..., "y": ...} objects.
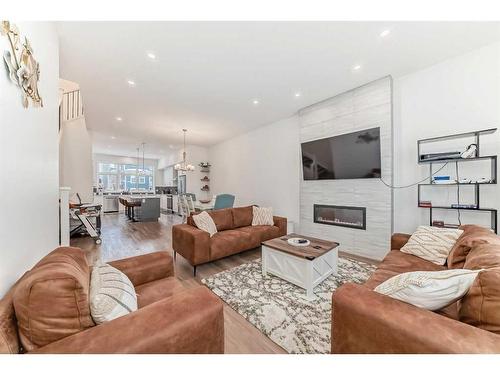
[{"x": 261, "y": 167}]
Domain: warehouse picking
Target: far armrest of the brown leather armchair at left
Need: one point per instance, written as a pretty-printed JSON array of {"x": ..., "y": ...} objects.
[{"x": 145, "y": 268}]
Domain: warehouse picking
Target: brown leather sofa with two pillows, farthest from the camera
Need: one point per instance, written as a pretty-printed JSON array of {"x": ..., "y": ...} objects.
[{"x": 235, "y": 234}]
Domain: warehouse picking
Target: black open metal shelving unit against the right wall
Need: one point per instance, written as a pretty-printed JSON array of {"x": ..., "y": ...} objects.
[{"x": 471, "y": 154}]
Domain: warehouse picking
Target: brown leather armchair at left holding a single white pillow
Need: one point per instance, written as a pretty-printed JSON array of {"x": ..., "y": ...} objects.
[{"x": 47, "y": 310}]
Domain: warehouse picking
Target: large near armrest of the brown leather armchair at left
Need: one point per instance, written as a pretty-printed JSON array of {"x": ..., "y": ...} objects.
[{"x": 188, "y": 322}]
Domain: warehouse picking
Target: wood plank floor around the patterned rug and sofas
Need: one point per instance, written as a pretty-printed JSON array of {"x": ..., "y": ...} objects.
[{"x": 122, "y": 238}]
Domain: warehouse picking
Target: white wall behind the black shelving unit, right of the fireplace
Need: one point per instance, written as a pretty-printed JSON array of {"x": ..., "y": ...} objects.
[{"x": 458, "y": 95}]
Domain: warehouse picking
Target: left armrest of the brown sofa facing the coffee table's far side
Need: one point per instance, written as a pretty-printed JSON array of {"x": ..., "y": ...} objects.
[{"x": 192, "y": 243}]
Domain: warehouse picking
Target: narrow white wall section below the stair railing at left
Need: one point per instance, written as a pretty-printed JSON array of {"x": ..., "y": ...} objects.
[{"x": 75, "y": 159}]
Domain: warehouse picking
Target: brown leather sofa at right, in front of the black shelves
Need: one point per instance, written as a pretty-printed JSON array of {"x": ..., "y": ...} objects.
[{"x": 364, "y": 321}]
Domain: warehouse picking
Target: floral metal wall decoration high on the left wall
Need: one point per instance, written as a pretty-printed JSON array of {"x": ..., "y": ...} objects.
[{"x": 24, "y": 70}]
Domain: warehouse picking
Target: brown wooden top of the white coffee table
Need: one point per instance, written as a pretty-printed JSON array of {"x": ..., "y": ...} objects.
[{"x": 316, "y": 249}]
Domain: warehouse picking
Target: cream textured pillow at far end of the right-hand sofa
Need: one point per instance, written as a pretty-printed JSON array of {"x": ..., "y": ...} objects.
[{"x": 432, "y": 243}]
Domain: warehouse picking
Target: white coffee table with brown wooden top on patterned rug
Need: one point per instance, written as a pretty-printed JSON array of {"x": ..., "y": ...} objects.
[{"x": 304, "y": 266}]
